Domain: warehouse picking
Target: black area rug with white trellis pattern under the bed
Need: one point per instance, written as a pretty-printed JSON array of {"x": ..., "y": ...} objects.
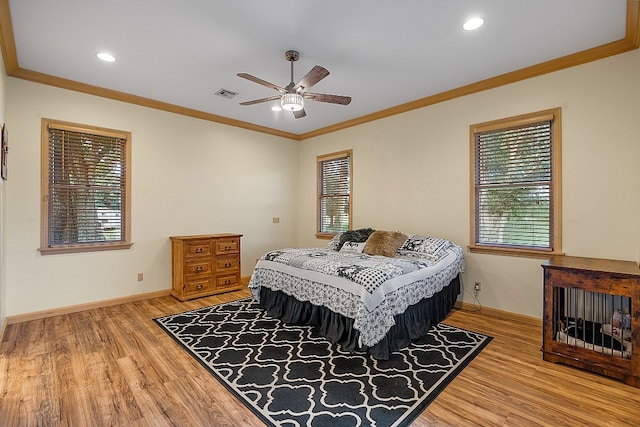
[{"x": 290, "y": 376}]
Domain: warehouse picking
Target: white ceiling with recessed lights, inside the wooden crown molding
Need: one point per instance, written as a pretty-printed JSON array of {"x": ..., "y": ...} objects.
[{"x": 381, "y": 53}]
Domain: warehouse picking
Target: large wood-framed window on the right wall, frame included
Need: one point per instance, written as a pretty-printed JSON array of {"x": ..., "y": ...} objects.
[{"x": 515, "y": 186}]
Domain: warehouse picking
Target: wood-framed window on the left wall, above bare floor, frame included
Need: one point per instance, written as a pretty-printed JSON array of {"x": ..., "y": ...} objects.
[{"x": 86, "y": 195}]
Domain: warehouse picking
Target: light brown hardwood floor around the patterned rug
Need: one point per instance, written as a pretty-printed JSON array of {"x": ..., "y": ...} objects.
[{"x": 114, "y": 366}]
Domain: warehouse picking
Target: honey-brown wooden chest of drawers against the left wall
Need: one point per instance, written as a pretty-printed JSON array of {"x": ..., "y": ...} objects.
[{"x": 205, "y": 264}]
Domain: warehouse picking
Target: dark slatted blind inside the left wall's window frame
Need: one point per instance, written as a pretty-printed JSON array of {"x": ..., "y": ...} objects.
[{"x": 87, "y": 187}]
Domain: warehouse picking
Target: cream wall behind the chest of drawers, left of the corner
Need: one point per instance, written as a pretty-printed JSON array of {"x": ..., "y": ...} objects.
[{"x": 188, "y": 177}]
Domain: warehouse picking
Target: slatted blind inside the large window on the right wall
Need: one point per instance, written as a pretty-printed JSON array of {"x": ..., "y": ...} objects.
[{"x": 513, "y": 186}]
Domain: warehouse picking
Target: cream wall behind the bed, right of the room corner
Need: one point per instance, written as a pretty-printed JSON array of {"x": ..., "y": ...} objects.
[{"x": 411, "y": 172}]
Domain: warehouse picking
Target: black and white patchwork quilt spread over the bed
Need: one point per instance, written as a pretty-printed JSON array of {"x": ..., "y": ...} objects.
[{"x": 369, "y": 289}]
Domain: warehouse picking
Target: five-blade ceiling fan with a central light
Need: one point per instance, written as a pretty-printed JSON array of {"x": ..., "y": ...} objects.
[{"x": 292, "y": 96}]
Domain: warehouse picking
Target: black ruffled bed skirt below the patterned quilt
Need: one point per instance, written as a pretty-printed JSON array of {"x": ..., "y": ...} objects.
[{"x": 411, "y": 325}]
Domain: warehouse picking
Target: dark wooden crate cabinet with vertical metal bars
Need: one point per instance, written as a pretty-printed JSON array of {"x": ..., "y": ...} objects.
[{"x": 575, "y": 286}]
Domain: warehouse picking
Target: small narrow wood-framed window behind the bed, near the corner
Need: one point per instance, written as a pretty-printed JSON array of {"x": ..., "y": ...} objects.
[{"x": 334, "y": 193}]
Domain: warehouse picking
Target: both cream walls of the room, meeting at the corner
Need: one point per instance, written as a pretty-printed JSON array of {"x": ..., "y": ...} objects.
[{"x": 411, "y": 173}]
